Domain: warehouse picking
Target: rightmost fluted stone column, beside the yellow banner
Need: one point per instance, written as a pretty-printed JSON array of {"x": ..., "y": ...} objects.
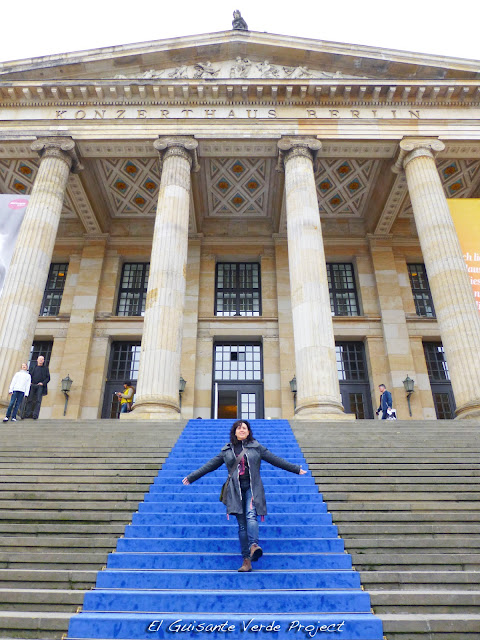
[{"x": 452, "y": 294}]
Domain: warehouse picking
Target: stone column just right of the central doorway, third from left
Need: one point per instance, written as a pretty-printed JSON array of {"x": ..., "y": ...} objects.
[{"x": 318, "y": 391}]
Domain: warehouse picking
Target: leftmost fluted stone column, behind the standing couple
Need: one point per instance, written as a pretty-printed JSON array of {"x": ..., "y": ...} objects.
[{"x": 25, "y": 283}]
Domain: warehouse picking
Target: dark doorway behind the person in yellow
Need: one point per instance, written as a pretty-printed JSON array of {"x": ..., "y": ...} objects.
[{"x": 123, "y": 367}]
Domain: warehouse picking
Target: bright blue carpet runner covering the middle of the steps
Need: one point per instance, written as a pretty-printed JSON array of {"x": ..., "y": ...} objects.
[{"x": 175, "y": 571}]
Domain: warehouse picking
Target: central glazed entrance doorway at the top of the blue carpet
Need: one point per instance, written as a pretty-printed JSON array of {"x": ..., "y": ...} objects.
[{"x": 237, "y": 381}]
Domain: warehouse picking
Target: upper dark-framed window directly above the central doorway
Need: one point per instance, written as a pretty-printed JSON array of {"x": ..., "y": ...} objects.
[{"x": 237, "y": 290}]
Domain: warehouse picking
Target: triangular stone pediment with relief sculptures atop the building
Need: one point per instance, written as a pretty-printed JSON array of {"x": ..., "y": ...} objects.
[{"x": 240, "y": 55}]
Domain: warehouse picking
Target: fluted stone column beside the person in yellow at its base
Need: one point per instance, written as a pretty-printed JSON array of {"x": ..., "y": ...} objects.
[{"x": 159, "y": 367}]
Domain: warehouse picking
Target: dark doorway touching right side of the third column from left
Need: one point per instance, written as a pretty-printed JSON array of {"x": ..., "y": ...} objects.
[{"x": 353, "y": 378}]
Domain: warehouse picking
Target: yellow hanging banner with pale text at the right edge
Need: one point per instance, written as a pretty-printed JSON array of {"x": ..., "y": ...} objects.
[{"x": 466, "y": 218}]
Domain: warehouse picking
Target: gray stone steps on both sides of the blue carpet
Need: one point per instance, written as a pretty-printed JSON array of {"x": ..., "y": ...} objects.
[{"x": 405, "y": 497}]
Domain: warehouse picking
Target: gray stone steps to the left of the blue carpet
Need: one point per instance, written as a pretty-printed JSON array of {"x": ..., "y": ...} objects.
[{"x": 67, "y": 491}]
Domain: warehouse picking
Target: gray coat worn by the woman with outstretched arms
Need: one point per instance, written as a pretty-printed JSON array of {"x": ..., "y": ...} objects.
[{"x": 255, "y": 453}]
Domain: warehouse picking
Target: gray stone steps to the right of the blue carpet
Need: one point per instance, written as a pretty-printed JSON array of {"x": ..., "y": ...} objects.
[{"x": 406, "y": 498}]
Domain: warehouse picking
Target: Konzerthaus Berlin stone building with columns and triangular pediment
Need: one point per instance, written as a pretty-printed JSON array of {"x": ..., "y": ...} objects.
[{"x": 247, "y": 212}]
